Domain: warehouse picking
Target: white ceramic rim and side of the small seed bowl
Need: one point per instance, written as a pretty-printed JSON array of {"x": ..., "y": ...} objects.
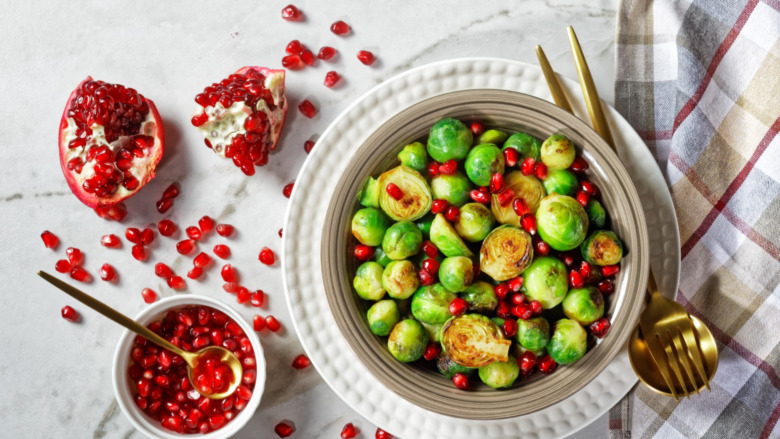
[{"x": 146, "y": 424}]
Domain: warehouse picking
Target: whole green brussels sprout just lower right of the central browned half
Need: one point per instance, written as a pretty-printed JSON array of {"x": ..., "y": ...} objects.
[{"x": 545, "y": 281}]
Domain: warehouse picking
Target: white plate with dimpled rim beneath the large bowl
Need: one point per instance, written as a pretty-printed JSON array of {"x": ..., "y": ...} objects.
[{"x": 305, "y": 295}]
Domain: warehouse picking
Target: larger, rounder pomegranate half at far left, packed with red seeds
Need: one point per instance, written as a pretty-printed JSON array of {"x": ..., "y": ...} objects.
[{"x": 110, "y": 140}]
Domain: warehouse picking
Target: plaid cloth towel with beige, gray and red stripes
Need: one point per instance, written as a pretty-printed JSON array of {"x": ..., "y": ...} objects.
[{"x": 700, "y": 81}]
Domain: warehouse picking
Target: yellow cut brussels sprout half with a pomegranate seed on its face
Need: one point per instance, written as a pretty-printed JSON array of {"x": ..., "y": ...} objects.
[{"x": 417, "y": 198}]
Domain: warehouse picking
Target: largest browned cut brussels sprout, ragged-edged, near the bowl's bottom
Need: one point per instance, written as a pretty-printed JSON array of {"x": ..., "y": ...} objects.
[{"x": 473, "y": 340}]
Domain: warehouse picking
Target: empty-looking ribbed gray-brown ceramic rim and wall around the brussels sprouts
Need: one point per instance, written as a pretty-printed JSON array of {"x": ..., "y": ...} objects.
[{"x": 420, "y": 383}]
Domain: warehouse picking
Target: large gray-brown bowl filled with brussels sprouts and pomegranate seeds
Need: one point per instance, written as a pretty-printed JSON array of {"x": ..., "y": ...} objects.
[{"x": 485, "y": 254}]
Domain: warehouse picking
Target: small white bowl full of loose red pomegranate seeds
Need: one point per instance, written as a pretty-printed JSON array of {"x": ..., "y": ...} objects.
[{"x": 152, "y": 385}]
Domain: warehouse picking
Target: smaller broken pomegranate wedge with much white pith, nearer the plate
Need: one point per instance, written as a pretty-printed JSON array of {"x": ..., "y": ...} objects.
[{"x": 242, "y": 116}]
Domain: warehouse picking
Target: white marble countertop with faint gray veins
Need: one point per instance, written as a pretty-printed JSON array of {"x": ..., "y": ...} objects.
[{"x": 55, "y": 375}]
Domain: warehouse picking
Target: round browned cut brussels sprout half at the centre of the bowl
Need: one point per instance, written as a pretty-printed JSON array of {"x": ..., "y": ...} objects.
[{"x": 505, "y": 253}]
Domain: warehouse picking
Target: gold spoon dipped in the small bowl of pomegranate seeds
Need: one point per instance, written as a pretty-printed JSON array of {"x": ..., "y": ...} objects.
[{"x": 193, "y": 359}]
